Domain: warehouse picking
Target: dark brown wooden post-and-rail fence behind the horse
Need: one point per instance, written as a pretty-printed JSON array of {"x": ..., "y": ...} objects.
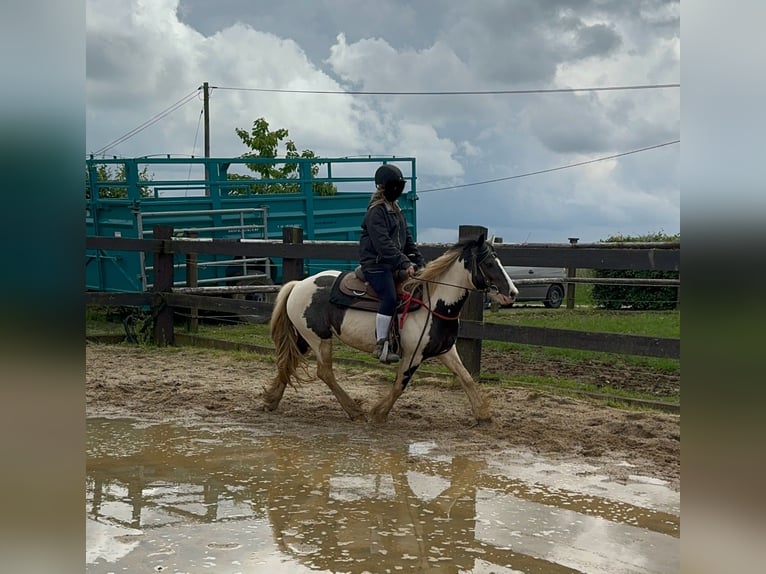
[{"x": 164, "y": 302}]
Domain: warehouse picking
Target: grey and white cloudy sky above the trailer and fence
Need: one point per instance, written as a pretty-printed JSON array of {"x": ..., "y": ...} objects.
[{"x": 145, "y": 56}]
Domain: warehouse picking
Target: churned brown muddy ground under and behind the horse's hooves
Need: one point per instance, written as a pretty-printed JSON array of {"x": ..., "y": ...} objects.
[{"x": 194, "y": 383}]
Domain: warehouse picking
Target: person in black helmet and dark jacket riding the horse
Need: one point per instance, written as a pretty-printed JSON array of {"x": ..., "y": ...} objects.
[{"x": 386, "y": 248}]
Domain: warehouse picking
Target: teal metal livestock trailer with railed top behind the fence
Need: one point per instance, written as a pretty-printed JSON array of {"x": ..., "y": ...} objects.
[{"x": 223, "y": 198}]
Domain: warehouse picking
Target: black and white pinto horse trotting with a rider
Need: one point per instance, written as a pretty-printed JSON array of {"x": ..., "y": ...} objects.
[{"x": 305, "y": 318}]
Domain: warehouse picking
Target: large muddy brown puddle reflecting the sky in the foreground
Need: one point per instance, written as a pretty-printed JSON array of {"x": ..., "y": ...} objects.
[{"x": 168, "y": 498}]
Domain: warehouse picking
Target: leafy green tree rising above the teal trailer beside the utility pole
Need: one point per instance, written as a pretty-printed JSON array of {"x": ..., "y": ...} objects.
[{"x": 265, "y": 143}]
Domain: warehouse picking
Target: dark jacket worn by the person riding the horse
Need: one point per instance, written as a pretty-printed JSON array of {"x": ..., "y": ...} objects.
[{"x": 386, "y": 239}]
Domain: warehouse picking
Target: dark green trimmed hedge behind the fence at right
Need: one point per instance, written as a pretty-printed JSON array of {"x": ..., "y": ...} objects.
[{"x": 639, "y": 297}]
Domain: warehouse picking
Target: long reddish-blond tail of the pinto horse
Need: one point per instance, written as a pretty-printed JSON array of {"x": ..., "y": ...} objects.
[{"x": 290, "y": 347}]
